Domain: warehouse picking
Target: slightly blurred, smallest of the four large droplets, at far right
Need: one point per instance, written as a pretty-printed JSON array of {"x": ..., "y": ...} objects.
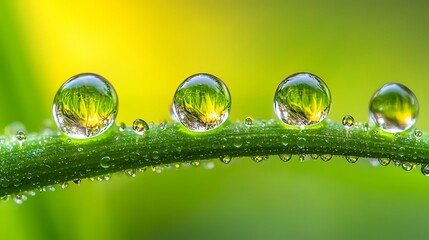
[{"x": 394, "y": 108}]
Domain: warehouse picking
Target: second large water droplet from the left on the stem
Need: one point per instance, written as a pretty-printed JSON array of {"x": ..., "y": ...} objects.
[{"x": 202, "y": 102}]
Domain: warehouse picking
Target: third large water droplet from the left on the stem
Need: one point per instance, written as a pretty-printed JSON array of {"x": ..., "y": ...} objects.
[{"x": 302, "y": 99}]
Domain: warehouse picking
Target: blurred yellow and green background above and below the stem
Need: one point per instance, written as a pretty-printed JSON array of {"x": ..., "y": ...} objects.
[{"x": 146, "y": 48}]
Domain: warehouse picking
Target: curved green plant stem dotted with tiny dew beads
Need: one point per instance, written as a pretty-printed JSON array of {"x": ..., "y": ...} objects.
[{"x": 48, "y": 159}]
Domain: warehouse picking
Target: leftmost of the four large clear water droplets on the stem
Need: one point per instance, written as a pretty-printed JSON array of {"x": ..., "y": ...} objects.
[{"x": 85, "y": 106}]
